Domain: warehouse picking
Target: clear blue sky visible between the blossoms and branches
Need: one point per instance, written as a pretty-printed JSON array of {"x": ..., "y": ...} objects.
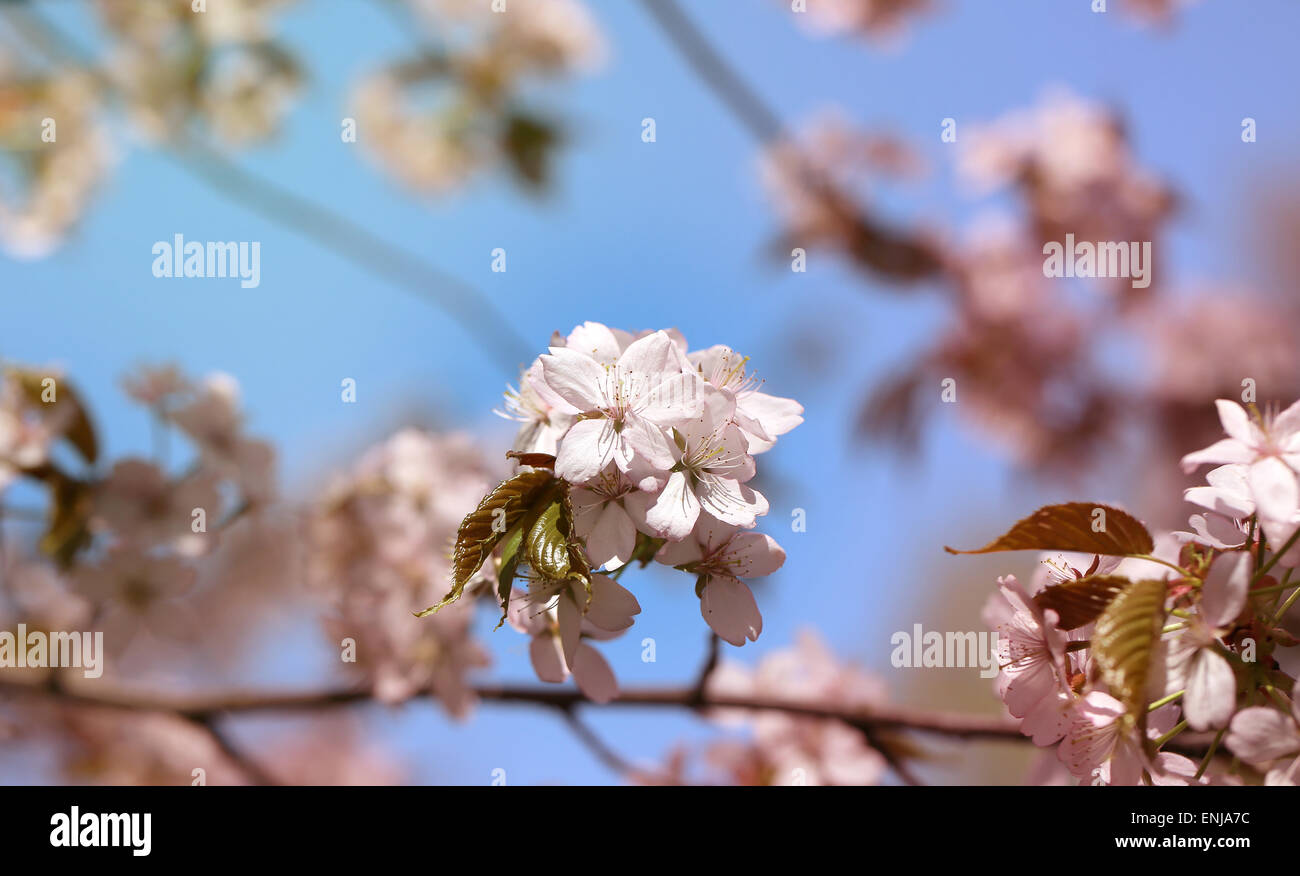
[{"x": 651, "y": 236}]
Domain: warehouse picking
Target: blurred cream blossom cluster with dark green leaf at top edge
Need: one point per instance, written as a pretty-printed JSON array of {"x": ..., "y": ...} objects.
[{"x": 437, "y": 120}]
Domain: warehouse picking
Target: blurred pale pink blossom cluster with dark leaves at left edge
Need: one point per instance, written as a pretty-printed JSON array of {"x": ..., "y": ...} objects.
[{"x": 123, "y": 547}]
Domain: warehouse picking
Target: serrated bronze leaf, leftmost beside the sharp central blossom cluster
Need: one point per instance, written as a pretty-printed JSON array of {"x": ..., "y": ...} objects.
[{"x": 488, "y": 524}]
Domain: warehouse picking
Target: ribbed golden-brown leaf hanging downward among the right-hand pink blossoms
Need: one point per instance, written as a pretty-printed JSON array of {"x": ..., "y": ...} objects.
[{"x": 1123, "y": 645}]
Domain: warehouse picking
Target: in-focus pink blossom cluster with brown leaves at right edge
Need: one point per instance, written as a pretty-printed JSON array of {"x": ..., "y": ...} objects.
[{"x": 1112, "y": 657}]
